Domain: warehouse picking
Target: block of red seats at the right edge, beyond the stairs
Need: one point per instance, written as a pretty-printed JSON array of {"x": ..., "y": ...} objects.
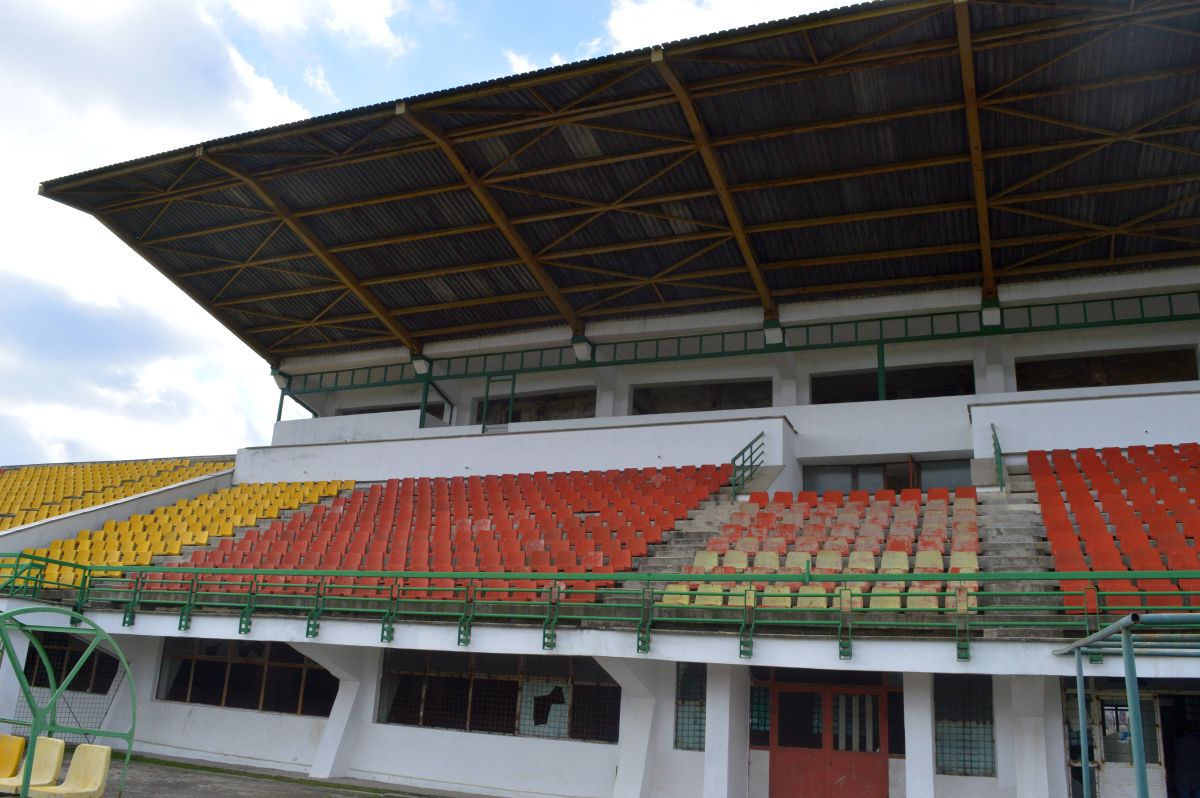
[{"x": 1105, "y": 512}]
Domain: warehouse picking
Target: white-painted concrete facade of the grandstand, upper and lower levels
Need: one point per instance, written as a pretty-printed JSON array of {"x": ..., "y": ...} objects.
[{"x": 1030, "y": 749}]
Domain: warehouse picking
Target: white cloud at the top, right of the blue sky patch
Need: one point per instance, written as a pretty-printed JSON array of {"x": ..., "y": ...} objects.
[{"x": 640, "y": 23}]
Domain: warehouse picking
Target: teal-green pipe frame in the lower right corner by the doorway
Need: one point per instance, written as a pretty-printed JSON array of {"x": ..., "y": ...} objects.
[{"x": 1131, "y": 646}]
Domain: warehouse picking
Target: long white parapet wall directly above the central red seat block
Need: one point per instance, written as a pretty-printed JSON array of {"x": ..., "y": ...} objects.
[{"x": 597, "y": 446}]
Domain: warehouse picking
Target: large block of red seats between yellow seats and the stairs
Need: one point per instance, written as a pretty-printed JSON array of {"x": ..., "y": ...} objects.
[{"x": 586, "y": 523}]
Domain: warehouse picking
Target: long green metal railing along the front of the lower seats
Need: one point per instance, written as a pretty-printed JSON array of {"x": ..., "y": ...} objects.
[{"x": 961, "y": 607}]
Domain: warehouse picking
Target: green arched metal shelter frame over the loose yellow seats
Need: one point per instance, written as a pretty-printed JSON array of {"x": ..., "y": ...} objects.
[{"x": 45, "y": 719}]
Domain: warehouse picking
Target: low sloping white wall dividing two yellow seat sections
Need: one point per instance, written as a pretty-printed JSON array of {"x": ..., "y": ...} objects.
[{"x": 40, "y": 535}]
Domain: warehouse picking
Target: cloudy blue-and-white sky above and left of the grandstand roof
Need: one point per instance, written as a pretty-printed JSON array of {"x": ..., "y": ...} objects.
[{"x": 100, "y": 357}]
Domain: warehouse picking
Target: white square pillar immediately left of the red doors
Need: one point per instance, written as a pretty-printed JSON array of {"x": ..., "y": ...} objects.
[{"x": 728, "y": 731}]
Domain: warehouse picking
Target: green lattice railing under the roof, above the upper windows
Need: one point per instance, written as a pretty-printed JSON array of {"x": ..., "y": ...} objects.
[{"x": 1178, "y": 307}]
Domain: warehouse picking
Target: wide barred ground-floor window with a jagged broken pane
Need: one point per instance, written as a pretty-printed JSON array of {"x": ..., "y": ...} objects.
[{"x": 553, "y": 698}]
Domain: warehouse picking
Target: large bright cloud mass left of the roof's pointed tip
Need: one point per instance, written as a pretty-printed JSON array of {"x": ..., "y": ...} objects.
[{"x": 85, "y": 86}]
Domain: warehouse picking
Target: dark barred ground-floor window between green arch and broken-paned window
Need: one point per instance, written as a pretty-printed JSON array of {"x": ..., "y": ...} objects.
[{"x": 245, "y": 675}]
